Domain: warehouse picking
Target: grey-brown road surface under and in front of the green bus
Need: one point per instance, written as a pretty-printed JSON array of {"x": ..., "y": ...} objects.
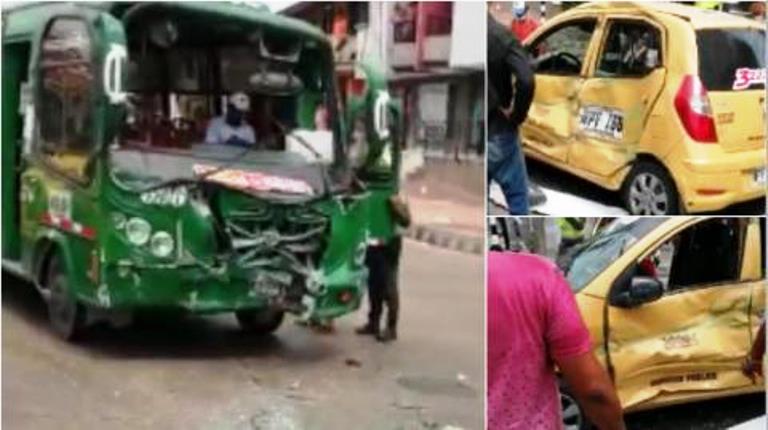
[{"x": 202, "y": 373}]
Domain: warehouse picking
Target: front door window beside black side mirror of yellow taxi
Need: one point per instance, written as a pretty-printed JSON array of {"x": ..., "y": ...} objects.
[{"x": 706, "y": 254}]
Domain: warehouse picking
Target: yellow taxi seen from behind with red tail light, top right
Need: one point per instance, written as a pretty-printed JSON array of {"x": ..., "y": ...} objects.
[{"x": 662, "y": 102}]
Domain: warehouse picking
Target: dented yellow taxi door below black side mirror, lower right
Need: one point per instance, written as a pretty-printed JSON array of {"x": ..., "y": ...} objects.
[{"x": 690, "y": 341}]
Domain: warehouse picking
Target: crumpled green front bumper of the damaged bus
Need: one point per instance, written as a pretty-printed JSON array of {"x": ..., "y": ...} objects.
[{"x": 199, "y": 289}]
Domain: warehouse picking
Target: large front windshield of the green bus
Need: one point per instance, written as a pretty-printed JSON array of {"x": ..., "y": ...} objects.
[{"x": 259, "y": 107}]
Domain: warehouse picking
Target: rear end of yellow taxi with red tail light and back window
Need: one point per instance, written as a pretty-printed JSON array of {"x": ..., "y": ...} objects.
[{"x": 718, "y": 96}]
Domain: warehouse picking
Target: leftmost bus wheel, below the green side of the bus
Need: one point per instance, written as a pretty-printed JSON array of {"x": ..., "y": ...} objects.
[{"x": 66, "y": 315}]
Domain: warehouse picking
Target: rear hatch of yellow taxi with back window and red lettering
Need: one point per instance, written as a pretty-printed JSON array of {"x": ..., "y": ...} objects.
[{"x": 732, "y": 69}]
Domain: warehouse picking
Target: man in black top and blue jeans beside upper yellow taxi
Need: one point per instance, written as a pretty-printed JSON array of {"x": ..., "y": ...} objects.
[{"x": 510, "y": 92}]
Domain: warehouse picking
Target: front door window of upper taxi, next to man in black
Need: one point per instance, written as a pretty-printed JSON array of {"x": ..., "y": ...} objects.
[{"x": 562, "y": 50}]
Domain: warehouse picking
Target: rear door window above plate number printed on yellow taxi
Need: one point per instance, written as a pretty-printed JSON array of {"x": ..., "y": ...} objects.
[{"x": 632, "y": 49}]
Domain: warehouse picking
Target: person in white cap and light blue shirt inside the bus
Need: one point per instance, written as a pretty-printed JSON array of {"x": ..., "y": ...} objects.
[{"x": 231, "y": 128}]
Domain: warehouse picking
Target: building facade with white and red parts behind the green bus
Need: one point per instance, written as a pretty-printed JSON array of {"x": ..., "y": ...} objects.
[{"x": 433, "y": 63}]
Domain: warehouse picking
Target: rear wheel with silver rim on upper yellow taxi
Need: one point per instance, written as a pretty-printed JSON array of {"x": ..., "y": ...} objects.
[{"x": 649, "y": 190}]
